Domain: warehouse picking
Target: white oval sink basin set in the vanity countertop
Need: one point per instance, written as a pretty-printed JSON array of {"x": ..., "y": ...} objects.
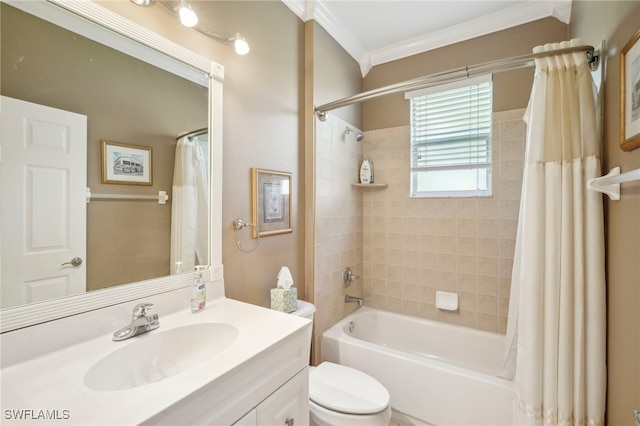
[{"x": 159, "y": 354}]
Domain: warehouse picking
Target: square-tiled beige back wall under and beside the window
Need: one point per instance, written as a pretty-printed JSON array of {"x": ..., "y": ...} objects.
[{"x": 415, "y": 247}]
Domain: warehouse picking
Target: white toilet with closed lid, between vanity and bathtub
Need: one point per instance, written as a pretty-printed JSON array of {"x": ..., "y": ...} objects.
[{"x": 341, "y": 395}]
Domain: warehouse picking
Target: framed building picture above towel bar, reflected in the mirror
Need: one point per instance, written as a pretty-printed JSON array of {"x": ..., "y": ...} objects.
[{"x": 125, "y": 164}]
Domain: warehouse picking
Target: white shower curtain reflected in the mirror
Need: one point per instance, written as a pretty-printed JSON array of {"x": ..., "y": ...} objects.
[{"x": 189, "y": 206}]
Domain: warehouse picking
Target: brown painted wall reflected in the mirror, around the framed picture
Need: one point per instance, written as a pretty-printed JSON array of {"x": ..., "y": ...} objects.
[{"x": 125, "y": 100}]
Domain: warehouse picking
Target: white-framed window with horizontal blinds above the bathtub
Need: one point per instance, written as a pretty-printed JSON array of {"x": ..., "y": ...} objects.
[{"x": 451, "y": 139}]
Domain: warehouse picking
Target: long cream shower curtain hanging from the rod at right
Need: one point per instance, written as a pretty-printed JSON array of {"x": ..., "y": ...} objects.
[{"x": 556, "y": 327}]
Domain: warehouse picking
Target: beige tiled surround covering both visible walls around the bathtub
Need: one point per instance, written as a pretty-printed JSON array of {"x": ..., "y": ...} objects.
[{"x": 406, "y": 249}]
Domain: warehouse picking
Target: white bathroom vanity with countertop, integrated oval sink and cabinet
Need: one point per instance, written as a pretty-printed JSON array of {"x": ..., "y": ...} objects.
[{"x": 232, "y": 363}]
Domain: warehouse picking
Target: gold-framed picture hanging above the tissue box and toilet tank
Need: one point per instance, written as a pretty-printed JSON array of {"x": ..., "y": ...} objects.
[{"x": 270, "y": 202}]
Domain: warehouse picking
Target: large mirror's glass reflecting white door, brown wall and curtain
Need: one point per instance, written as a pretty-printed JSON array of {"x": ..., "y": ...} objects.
[{"x": 52, "y": 72}]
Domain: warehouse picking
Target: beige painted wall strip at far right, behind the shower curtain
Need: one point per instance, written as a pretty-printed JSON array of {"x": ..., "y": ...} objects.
[{"x": 616, "y": 22}]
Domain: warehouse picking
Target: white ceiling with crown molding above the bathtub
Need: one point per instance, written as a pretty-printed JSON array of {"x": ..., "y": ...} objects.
[{"x": 378, "y": 31}]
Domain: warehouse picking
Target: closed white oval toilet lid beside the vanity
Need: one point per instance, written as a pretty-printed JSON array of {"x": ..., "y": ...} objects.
[{"x": 347, "y": 390}]
